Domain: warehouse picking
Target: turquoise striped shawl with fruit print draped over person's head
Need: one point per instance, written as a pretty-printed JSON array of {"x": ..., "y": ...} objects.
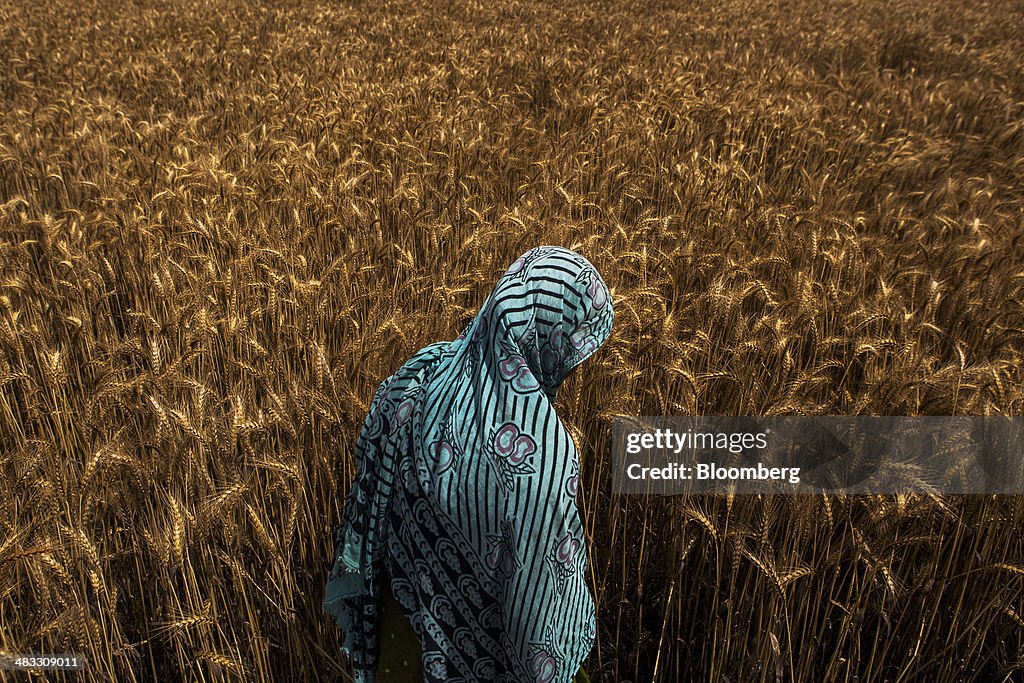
[{"x": 466, "y": 486}]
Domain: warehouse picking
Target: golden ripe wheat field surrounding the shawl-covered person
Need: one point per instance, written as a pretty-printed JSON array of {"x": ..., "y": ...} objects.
[{"x": 224, "y": 223}]
